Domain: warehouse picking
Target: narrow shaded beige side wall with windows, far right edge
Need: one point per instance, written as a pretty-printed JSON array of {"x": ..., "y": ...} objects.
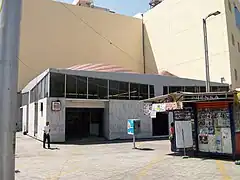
[{"x": 234, "y": 50}]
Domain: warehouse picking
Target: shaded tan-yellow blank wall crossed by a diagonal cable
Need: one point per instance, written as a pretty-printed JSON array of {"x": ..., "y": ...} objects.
[{"x": 55, "y": 37}]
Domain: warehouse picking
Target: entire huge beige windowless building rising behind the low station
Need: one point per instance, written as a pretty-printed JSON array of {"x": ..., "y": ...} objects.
[{"x": 168, "y": 38}]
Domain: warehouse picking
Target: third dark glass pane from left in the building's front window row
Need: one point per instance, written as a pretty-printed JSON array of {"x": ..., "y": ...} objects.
[{"x": 81, "y": 87}]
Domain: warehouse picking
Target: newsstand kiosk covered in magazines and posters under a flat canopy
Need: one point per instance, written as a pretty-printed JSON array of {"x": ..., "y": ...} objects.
[{"x": 210, "y": 121}]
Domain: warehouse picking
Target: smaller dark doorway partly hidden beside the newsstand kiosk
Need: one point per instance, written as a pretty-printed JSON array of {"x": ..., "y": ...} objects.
[{"x": 160, "y": 125}]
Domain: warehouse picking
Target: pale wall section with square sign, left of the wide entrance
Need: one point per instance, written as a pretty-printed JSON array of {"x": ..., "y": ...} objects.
[{"x": 56, "y": 120}]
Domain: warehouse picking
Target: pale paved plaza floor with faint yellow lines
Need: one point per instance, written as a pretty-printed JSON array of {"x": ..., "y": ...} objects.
[{"x": 114, "y": 161}]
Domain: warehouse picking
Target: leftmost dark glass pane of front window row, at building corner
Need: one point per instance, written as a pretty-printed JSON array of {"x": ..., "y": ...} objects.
[{"x": 57, "y": 85}]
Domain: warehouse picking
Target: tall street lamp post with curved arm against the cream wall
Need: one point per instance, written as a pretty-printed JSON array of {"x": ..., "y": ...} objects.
[{"x": 206, "y": 49}]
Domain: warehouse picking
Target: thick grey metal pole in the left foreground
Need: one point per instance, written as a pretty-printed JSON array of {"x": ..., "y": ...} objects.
[{"x": 10, "y": 16}]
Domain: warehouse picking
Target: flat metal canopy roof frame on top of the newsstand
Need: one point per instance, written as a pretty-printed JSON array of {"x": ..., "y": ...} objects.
[{"x": 192, "y": 97}]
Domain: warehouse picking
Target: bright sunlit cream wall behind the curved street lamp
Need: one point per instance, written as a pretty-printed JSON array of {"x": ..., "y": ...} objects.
[{"x": 175, "y": 33}]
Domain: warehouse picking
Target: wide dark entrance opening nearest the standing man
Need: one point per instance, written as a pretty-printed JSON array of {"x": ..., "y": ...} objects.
[{"x": 83, "y": 123}]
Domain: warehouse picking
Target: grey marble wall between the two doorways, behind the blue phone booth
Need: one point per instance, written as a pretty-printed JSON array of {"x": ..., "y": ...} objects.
[{"x": 119, "y": 113}]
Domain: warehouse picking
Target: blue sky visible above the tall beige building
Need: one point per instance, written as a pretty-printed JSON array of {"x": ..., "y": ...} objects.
[{"x": 126, "y": 7}]
